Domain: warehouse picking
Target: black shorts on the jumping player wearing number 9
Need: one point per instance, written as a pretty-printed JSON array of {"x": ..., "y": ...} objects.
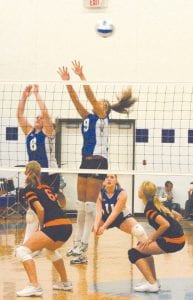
[{"x": 94, "y": 163}]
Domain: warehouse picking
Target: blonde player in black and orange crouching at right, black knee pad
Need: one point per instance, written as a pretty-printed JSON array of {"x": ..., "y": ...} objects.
[{"x": 168, "y": 236}]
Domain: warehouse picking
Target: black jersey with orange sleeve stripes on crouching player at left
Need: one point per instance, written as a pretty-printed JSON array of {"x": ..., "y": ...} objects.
[{"x": 47, "y": 199}]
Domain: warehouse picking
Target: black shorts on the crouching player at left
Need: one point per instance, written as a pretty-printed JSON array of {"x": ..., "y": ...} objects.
[{"x": 59, "y": 232}]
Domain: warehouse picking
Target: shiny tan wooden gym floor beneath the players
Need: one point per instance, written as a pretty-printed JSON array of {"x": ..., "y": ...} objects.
[{"x": 108, "y": 275}]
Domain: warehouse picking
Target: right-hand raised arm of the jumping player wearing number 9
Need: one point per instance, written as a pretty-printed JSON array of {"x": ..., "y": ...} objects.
[{"x": 77, "y": 69}]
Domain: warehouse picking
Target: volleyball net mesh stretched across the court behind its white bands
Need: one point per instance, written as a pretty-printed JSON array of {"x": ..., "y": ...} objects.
[{"x": 155, "y": 138}]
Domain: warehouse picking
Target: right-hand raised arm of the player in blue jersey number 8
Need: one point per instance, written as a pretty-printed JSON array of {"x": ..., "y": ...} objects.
[{"x": 48, "y": 127}]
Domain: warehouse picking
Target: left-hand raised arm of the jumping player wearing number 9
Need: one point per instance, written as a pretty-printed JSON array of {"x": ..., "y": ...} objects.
[{"x": 64, "y": 74}]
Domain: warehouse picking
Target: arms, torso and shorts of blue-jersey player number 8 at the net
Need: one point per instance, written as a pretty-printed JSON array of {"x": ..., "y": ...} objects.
[{"x": 40, "y": 138}]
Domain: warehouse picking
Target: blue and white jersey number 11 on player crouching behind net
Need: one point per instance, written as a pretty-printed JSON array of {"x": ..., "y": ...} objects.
[{"x": 108, "y": 203}]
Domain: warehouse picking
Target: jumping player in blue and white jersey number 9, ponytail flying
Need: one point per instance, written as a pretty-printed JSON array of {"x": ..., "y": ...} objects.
[{"x": 94, "y": 155}]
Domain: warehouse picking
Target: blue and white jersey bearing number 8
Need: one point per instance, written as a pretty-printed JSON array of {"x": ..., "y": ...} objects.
[{"x": 41, "y": 148}]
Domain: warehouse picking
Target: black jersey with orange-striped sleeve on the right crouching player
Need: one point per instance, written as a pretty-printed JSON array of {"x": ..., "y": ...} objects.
[{"x": 174, "y": 231}]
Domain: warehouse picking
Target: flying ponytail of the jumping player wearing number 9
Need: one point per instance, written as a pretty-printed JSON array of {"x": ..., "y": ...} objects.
[{"x": 125, "y": 101}]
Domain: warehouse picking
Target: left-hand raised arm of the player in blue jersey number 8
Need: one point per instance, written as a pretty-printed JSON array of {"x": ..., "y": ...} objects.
[{"x": 23, "y": 122}]
